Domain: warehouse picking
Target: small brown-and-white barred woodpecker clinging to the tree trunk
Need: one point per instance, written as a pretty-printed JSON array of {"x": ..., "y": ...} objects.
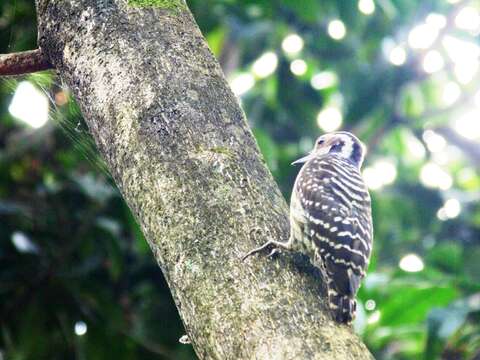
[{"x": 331, "y": 219}]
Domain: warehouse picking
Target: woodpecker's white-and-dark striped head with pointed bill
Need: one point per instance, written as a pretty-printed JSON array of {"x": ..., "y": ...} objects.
[{"x": 341, "y": 143}]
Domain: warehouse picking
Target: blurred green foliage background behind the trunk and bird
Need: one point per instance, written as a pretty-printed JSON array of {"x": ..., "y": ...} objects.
[{"x": 72, "y": 255}]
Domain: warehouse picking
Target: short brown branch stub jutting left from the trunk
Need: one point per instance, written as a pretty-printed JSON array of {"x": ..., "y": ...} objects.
[{"x": 23, "y": 63}]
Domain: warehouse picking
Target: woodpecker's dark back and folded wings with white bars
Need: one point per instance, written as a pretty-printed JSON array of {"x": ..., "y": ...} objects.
[{"x": 337, "y": 211}]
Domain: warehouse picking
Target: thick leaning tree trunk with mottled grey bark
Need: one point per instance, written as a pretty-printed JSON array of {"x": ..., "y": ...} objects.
[{"x": 181, "y": 152}]
